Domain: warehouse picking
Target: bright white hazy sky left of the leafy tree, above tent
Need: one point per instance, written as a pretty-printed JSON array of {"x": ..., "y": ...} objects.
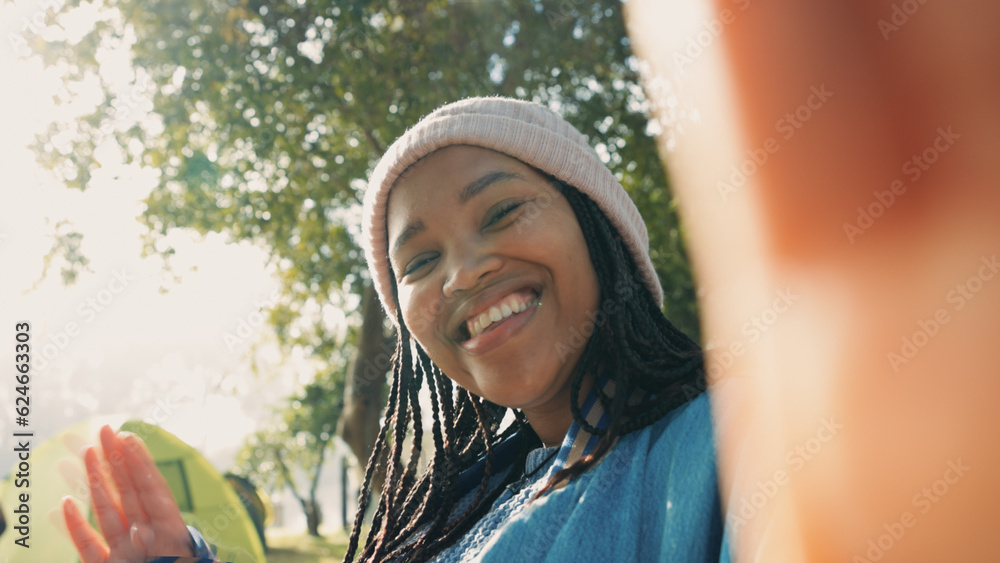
[{"x": 125, "y": 340}]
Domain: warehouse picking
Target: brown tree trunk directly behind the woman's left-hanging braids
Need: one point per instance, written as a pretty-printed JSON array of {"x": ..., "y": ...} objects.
[{"x": 365, "y": 385}]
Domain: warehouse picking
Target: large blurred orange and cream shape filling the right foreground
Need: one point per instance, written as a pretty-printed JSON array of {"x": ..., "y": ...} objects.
[{"x": 837, "y": 172}]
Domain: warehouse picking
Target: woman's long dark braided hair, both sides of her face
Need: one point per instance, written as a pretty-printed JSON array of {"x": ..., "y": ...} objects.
[{"x": 632, "y": 343}]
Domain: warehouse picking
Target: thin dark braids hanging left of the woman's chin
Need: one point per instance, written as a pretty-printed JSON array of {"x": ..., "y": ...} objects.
[{"x": 411, "y": 520}]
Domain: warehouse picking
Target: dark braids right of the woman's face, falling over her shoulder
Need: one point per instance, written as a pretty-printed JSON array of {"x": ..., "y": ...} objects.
[{"x": 634, "y": 345}]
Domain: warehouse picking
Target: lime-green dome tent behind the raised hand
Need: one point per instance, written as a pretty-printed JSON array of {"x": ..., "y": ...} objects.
[{"x": 205, "y": 498}]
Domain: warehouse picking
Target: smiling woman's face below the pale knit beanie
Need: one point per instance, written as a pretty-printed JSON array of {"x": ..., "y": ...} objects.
[{"x": 493, "y": 275}]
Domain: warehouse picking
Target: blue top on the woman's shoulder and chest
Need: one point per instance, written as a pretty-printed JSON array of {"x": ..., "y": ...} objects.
[{"x": 654, "y": 497}]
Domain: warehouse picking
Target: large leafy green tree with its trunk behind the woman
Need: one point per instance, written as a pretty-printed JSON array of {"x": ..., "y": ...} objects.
[{"x": 267, "y": 117}]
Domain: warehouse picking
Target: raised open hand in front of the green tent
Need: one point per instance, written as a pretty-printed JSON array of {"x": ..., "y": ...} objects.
[{"x": 137, "y": 513}]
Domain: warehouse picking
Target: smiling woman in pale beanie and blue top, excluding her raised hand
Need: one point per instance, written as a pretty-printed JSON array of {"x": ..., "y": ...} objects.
[{"x": 514, "y": 265}]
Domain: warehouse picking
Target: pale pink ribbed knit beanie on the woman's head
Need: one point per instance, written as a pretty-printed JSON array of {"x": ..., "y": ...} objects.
[{"x": 529, "y": 132}]
